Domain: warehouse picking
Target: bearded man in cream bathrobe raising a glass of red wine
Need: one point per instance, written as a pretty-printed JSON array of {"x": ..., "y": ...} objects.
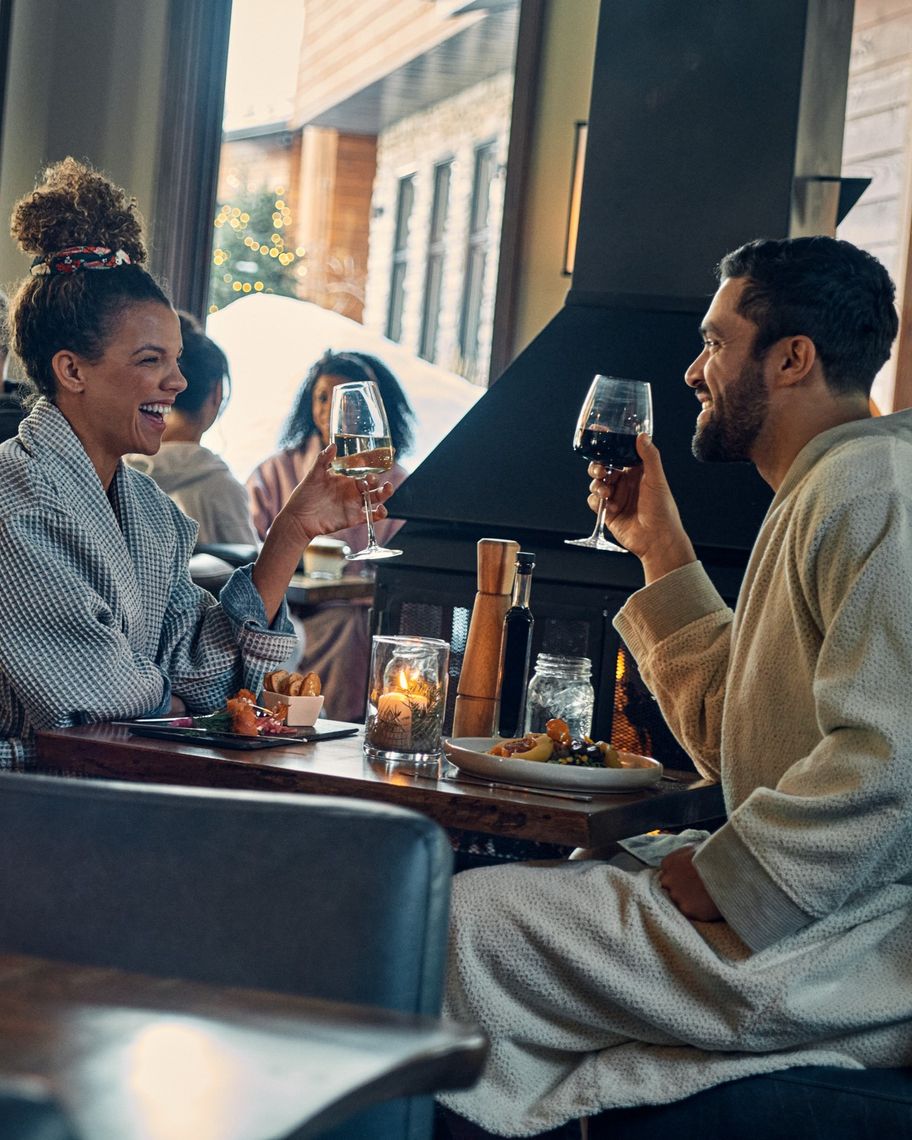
[{"x": 786, "y": 938}]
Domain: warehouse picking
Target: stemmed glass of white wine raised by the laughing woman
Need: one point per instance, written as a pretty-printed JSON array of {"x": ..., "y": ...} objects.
[{"x": 363, "y": 447}]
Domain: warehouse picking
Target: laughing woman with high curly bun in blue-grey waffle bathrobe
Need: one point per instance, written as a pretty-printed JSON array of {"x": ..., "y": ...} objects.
[{"x": 102, "y": 620}]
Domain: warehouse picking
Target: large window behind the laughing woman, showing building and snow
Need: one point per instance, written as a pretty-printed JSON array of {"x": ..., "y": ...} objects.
[{"x": 347, "y": 186}]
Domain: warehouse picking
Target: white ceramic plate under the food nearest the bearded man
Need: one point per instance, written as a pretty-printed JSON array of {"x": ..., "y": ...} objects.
[{"x": 470, "y": 755}]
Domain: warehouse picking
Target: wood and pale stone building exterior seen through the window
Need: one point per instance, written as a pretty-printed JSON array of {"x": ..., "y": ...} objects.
[{"x": 390, "y": 172}]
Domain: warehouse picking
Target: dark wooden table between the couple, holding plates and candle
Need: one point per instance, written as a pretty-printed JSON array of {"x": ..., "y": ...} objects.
[{"x": 339, "y": 768}]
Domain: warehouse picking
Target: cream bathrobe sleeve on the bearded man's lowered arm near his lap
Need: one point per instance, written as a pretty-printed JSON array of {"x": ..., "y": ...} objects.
[{"x": 838, "y": 824}]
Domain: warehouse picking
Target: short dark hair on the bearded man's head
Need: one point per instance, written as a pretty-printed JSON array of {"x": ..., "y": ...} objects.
[{"x": 830, "y": 291}]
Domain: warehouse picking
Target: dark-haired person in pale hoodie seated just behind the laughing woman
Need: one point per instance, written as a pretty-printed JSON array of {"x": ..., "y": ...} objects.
[{"x": 193, "y": 477}]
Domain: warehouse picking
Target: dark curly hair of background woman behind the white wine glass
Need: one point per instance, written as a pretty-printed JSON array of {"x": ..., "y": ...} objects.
[{"x": 300, "y": 426}]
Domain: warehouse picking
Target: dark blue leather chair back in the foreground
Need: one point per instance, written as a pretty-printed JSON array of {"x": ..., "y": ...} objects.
[{"x": 341, "y": 900}]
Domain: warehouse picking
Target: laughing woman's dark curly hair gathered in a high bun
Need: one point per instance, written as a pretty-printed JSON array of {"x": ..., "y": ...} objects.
[{"x": 76, "y": 206}]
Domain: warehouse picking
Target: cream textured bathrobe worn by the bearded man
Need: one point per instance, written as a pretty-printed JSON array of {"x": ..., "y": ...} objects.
[{"x": 596, "y": 990}]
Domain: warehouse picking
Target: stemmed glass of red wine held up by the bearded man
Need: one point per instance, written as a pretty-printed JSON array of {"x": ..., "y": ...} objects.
[{"x": 613, "y": 416}]
